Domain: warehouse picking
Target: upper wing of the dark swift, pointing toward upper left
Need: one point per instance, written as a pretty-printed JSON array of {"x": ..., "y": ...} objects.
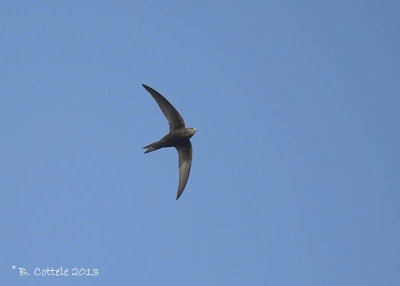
[{"x": 175, "y": 120}]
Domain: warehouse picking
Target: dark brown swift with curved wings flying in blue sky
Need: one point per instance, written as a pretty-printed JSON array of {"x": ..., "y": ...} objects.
[{"x": 178, "y": 137}]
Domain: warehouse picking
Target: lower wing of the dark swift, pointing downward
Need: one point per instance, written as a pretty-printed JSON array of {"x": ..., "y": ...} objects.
[{"x": 185, "y": 161}]
